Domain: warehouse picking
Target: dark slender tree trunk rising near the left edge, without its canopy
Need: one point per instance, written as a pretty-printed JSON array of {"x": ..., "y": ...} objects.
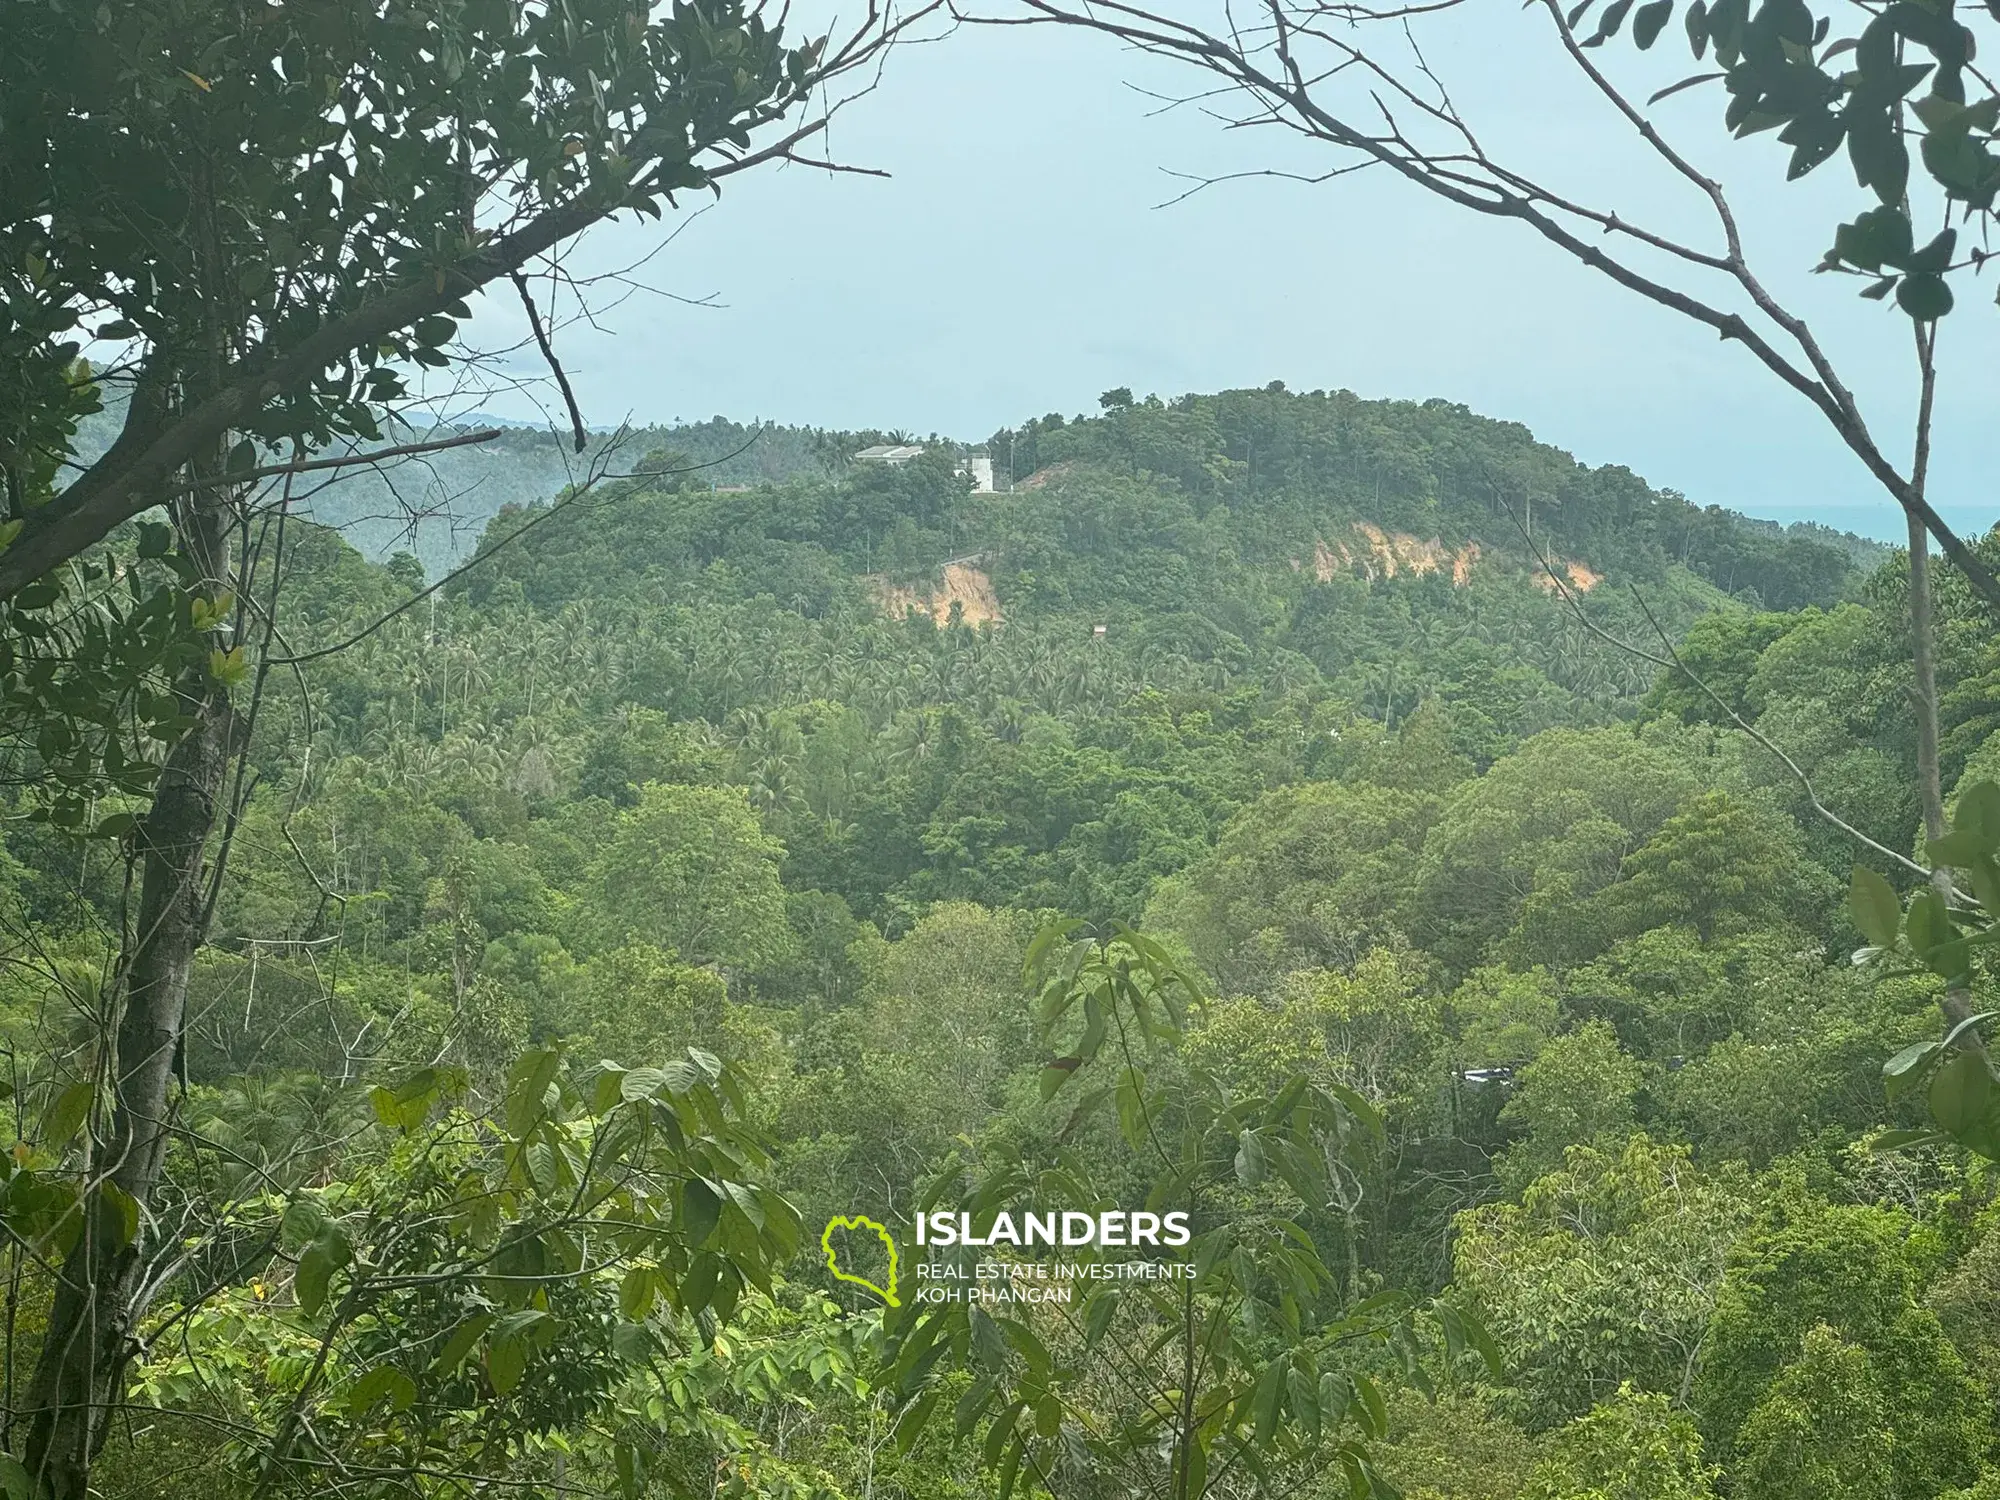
[{"x": 81, "y": 1371}]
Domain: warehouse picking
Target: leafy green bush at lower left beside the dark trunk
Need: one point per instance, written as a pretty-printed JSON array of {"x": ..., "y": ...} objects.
[{"x": 465, "y": 1281}]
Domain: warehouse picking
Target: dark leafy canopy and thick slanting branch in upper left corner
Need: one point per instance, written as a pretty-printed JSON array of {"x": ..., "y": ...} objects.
[{"x": 261, "y": 205}]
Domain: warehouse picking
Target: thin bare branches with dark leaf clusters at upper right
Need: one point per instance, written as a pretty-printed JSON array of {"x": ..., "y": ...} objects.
[{"x": 1355, "y": 79}]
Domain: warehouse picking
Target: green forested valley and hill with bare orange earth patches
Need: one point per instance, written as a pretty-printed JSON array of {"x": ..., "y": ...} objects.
[{"x": 1453, "y": 931}]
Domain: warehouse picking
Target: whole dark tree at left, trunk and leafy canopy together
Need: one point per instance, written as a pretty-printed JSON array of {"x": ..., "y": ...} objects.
[{"x": 275, "y": 215}]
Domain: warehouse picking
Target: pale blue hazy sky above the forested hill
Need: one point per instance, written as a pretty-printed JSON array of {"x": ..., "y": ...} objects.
[{"x": 1023, "y": 257}]
